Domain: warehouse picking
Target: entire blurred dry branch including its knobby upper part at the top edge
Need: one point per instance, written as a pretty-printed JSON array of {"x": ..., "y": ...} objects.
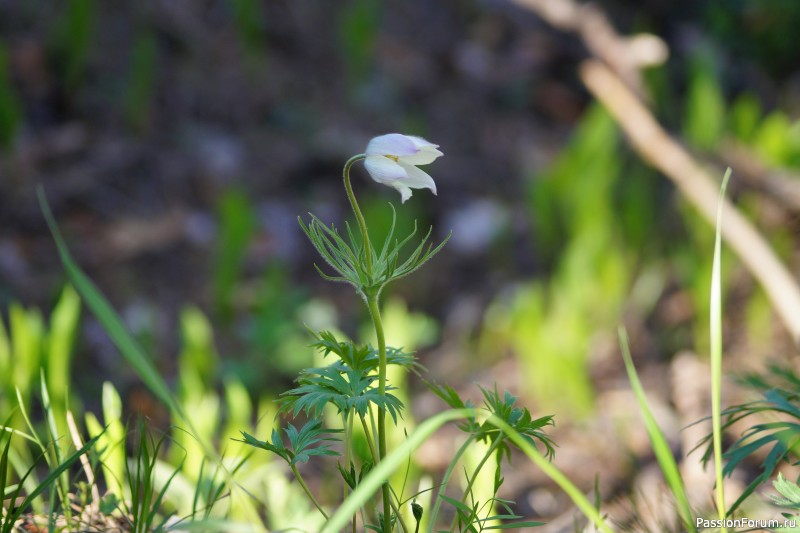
[{"x": 615, "y": 82}]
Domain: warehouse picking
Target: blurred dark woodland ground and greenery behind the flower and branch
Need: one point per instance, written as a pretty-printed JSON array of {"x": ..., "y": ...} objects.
[{"x": 178, "y": 142}]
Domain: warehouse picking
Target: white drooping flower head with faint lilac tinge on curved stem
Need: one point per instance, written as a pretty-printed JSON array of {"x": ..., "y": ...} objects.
[{"x": 392, "y": 160}]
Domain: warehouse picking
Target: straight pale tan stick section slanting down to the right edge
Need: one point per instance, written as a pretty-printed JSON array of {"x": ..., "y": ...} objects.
[{"x": 668, "y": 156}]
